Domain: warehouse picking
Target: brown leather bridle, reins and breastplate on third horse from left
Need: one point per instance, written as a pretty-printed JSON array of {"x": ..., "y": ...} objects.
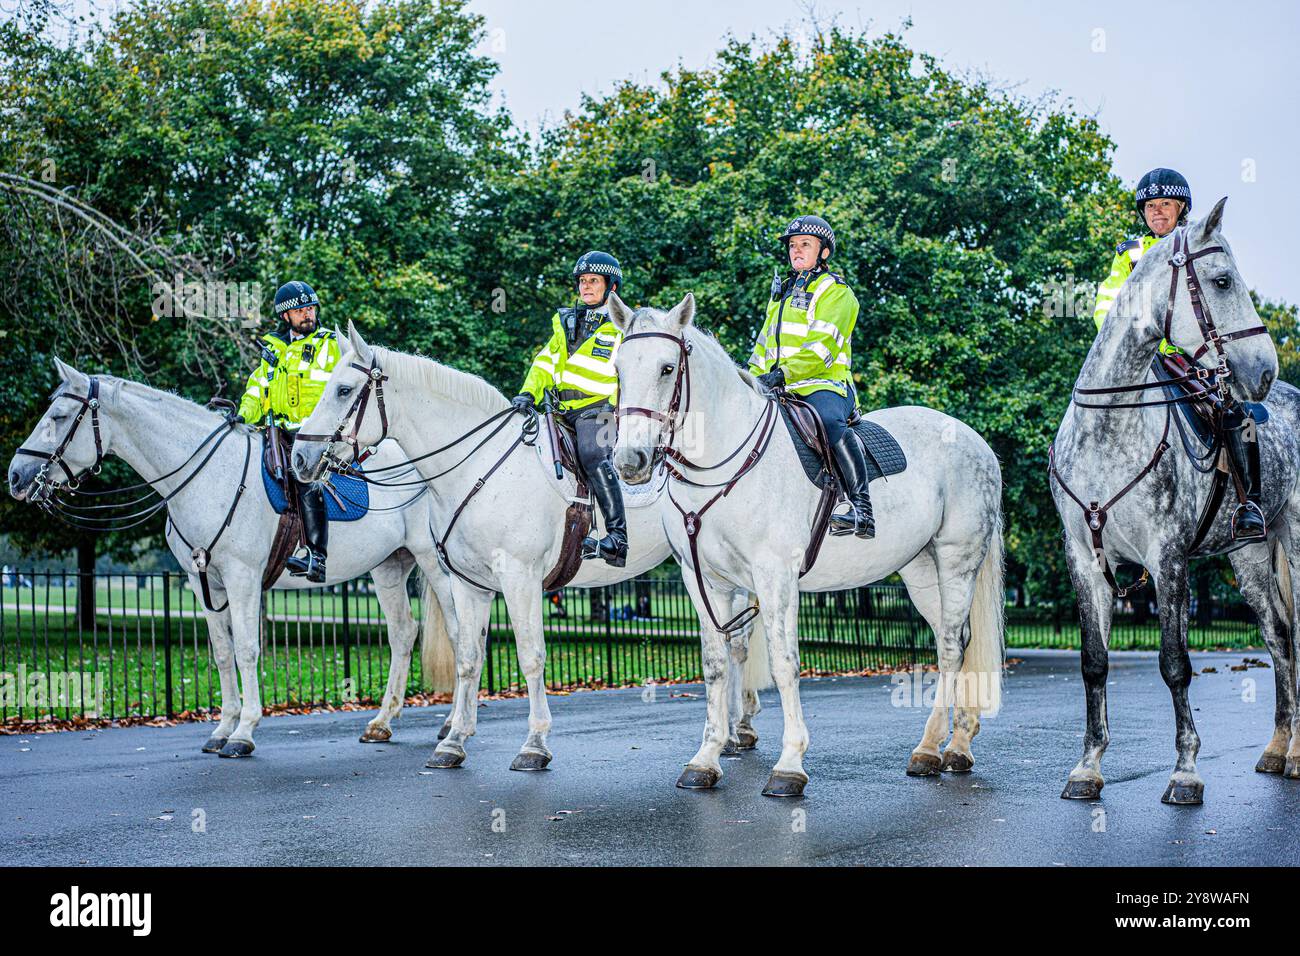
[{"x": 694, "y": 521}]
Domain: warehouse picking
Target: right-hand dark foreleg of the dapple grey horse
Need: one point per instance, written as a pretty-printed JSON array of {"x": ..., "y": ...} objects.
[{"x": 1176, "y": 668}]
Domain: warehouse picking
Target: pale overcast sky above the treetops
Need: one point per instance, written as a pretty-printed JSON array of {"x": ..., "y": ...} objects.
[{"x": 1210, "y": 89}]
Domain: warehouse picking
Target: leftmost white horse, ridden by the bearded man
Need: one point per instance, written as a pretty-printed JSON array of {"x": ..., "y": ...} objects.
[{"x": 157, "y": 434}]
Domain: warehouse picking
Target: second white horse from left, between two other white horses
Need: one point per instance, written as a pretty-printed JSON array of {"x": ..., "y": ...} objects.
[{"x": 505, "y": 509}]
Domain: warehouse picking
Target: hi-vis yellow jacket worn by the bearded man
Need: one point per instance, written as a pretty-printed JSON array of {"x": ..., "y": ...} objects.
[{"x": 291, "y": 378}]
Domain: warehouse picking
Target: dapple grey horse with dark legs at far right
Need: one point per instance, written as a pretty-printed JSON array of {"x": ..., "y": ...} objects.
[{"x": 1154, "y": 500}]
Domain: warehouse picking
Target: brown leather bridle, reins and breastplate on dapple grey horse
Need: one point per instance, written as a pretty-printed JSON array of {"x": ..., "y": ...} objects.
[{"x": 1095, "y": 513}]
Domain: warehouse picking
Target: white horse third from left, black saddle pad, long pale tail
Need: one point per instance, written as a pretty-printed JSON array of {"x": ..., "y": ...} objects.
[{"x": 939, "y": 525}]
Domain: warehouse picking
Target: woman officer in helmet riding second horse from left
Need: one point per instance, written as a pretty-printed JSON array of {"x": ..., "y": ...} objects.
[{"x": 578, "y": 366}]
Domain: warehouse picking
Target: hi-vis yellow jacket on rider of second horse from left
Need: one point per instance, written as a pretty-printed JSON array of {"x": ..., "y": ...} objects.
[{"x": 583, "y": 378}]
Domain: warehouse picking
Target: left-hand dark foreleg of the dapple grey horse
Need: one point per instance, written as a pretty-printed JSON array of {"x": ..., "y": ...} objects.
[{"x": 1095, "y": 611}]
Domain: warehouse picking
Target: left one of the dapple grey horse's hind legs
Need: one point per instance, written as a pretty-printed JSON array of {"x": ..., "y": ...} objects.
[{"x": 1267, "y": 587}]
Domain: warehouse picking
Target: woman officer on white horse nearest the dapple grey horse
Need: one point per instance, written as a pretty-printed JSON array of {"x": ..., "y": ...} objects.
[{"x": 804, "y": 348}]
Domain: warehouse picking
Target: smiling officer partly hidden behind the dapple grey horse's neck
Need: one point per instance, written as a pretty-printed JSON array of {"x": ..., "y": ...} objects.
[{"x": 1163, "y": 201}]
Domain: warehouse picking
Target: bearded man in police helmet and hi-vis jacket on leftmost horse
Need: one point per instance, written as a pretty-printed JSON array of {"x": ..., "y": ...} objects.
[{"x": 296, "y": 365}]
